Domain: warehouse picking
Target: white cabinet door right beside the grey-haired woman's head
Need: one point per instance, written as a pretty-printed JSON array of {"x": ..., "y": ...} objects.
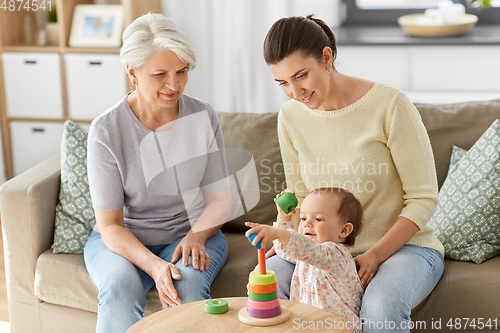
[{"x": 94, "y": 82}]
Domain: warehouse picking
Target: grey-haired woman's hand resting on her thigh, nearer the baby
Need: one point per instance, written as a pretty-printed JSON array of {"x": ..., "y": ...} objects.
[{"x": 193, "y": 244}]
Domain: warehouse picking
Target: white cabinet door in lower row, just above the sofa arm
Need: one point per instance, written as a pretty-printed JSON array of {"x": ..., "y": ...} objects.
[{"x": 32, "y": 142}]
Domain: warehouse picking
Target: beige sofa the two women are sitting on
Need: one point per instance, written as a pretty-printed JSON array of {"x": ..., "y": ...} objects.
[{"x": 53, "y": 292}]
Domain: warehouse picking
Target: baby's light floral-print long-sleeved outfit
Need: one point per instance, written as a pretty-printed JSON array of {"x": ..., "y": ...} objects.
[{"x": 325, "y": 276}]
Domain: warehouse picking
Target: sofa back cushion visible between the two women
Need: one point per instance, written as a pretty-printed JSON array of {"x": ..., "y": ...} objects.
[{"x": 257, "y": 133}]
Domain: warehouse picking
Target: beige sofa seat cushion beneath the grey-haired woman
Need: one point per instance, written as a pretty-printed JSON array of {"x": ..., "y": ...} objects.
[{"x": 62, "y": 279}]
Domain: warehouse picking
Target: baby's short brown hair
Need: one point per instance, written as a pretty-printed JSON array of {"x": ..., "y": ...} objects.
[{"x": 350, "y": 209}]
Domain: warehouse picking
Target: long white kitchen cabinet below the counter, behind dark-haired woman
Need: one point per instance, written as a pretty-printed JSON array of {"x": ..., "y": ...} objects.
[{"x": 429, "y": 74}]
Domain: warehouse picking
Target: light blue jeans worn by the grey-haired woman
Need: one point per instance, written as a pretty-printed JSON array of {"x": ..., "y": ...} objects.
[{"x": 123, "y": 286}]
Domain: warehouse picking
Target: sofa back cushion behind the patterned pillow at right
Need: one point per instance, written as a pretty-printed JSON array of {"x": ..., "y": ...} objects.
[{"x": 459, "y": 124}]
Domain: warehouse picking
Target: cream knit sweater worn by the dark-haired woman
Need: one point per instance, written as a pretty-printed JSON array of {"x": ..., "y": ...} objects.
[{"x": 377, "y": 148}]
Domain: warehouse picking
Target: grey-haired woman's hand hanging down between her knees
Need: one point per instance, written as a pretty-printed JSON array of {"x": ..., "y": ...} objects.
[{"x": 163, "y": 273}]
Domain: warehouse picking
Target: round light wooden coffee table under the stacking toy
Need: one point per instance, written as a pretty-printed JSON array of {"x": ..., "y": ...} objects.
[{"x": 192, "y": 318}]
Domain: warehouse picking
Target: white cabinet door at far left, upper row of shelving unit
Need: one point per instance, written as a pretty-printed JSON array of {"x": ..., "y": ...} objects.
[{"x": 33, "y": 84}]
